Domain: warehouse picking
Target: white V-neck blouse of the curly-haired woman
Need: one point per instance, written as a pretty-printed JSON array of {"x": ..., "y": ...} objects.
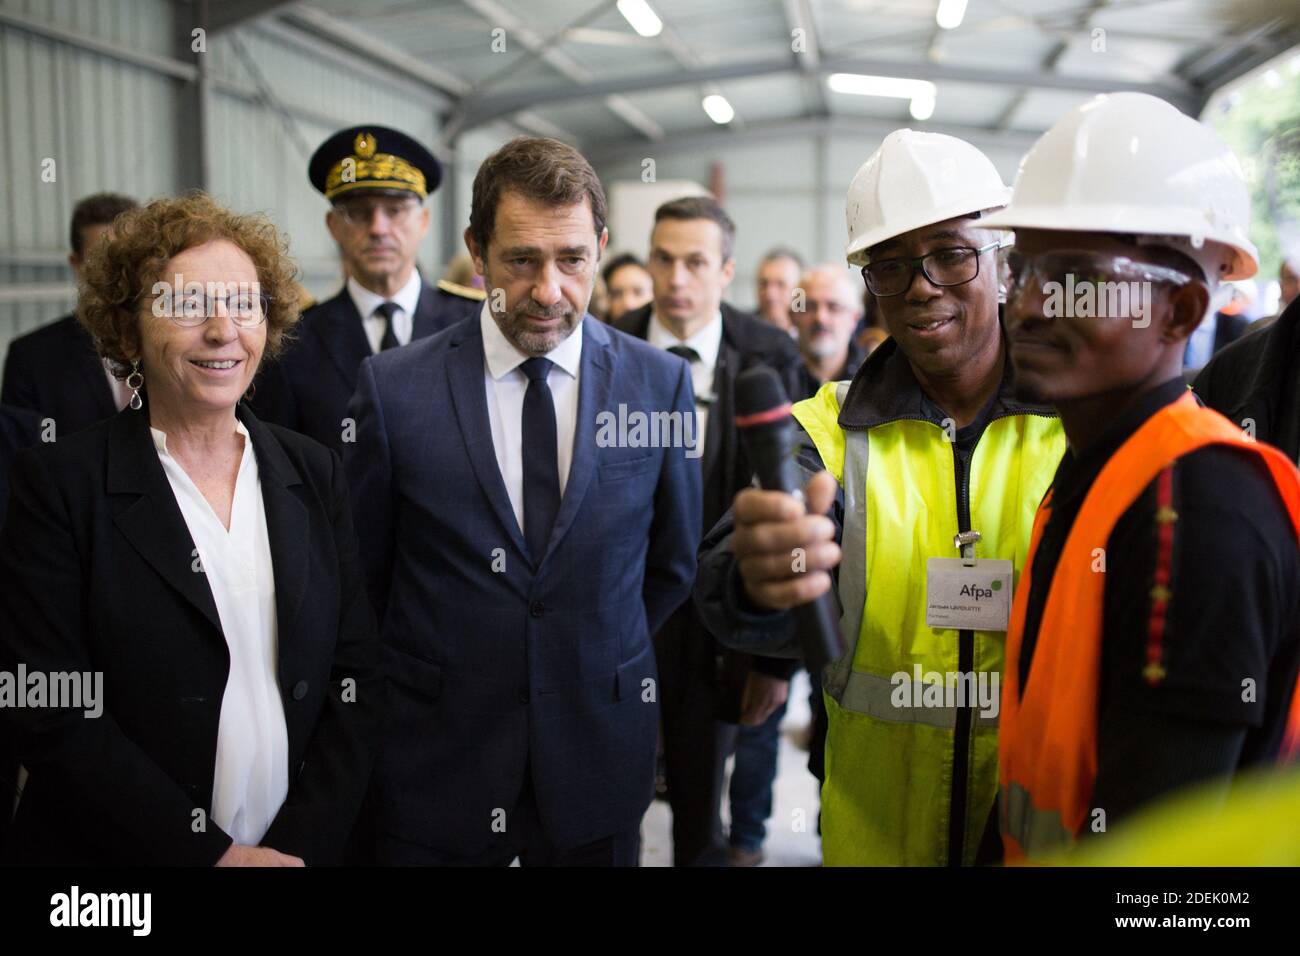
[{"x": 252, "y": 776}]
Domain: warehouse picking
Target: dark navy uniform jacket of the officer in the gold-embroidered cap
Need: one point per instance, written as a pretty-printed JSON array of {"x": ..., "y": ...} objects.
[{"x": 309, "y": 387}]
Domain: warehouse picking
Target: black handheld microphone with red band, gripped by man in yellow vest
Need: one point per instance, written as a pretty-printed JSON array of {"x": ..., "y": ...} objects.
[{"x": 768, "y": 432}]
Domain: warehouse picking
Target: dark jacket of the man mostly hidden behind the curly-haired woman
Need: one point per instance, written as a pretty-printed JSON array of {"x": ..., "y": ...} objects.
[{"x": 57, "y": 373}]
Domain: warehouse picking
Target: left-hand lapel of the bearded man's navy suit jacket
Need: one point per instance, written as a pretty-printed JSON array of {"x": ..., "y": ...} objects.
[{"x": 469, "y": 396}]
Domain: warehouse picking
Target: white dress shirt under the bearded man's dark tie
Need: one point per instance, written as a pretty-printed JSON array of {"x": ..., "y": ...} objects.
[{"x": 506, "y": 386}]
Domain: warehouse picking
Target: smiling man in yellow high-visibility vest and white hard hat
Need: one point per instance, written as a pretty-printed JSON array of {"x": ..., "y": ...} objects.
[{"x": 935, "y": 474}]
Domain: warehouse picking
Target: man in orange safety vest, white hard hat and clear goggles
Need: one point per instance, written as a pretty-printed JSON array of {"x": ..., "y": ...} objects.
[{"x": 1154, "y": 639}]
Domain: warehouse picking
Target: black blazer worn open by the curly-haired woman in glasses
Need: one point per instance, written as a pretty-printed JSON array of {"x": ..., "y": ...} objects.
[{"x": 97, "y": 574}]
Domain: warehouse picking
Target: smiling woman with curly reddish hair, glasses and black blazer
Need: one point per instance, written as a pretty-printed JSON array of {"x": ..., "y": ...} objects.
[{"x": 180, "y": 582}]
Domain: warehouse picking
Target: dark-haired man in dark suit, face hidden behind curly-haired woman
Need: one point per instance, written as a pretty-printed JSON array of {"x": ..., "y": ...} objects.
[{"x": 55, "y": 370}]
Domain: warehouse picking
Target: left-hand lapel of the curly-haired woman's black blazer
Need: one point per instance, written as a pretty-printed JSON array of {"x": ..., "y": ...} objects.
[{"x": 149, "y": 516}]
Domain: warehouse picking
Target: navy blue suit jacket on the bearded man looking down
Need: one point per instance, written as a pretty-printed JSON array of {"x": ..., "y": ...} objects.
[{"x": 502, "y": 663}]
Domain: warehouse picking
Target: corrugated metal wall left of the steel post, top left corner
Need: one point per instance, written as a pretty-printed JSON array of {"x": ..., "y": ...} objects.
[{"x": 64, "y": 105}]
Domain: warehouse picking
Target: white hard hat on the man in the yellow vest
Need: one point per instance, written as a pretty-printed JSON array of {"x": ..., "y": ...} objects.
[{"x": 916, "y": 180}]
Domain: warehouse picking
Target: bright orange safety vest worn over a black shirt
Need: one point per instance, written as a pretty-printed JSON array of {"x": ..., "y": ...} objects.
[{"x": 1048, "y": 739}]
